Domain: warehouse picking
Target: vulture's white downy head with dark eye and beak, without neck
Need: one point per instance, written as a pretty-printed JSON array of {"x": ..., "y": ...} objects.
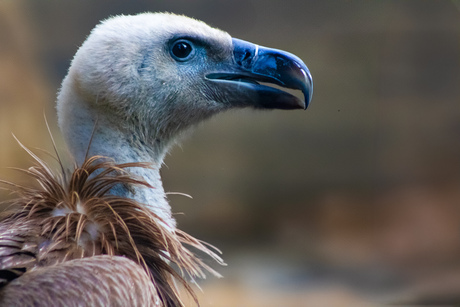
[{"x": 169, "y": 72}]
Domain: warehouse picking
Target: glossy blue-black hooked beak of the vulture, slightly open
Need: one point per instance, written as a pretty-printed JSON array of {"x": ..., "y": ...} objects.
[{"x": 252, "y": 64}]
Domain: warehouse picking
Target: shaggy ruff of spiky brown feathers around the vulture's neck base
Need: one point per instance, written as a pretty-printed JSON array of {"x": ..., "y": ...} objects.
[{"x": 62, "y": 220}]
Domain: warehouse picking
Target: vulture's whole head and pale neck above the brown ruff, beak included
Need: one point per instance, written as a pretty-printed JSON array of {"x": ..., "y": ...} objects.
[{"x": 138, "y": 81}]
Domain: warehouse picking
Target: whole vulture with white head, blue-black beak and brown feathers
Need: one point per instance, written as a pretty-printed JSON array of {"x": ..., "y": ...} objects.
[{"x": 100, "y": 232}]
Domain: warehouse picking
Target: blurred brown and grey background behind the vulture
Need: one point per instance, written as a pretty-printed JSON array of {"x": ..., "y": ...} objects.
[{"x": 354, "y": 202}]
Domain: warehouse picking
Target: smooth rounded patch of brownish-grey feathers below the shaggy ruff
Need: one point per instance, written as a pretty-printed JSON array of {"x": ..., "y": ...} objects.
[{"x": 110, "y": 280}]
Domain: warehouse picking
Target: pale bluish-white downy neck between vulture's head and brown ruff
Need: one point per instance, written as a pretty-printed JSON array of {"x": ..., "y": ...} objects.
[{"x": 90, "y": 131}]
